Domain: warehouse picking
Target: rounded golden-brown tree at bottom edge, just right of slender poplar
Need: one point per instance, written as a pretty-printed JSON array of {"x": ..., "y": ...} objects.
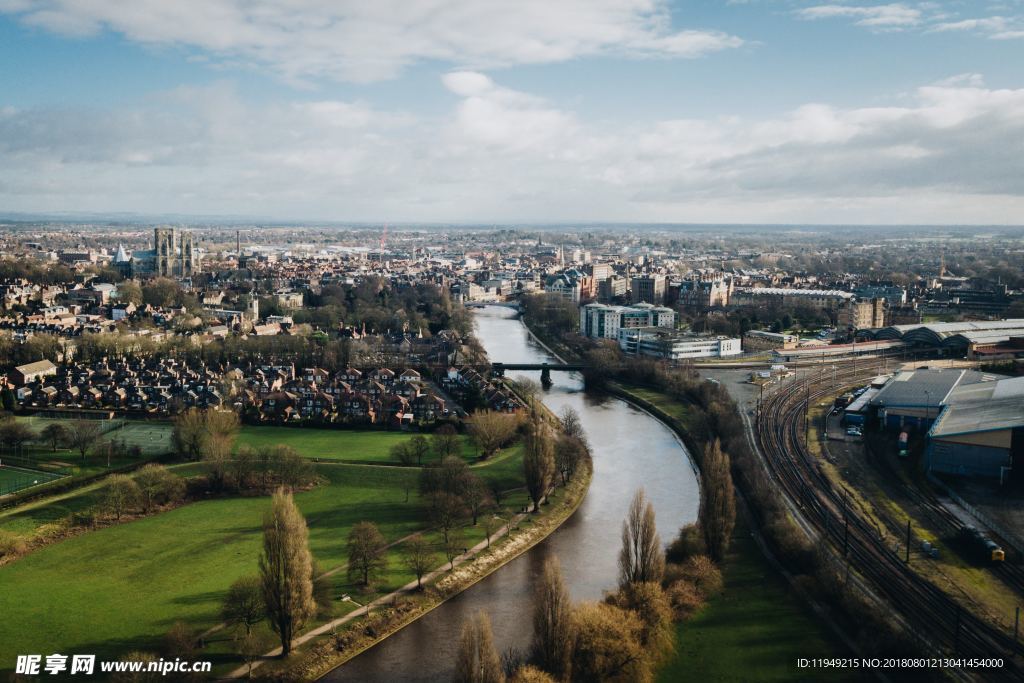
[{"x": 608, "y": 646}]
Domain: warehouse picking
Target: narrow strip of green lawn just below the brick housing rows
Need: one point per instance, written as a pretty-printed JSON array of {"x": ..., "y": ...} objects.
[{"x": 353, "y": 446}]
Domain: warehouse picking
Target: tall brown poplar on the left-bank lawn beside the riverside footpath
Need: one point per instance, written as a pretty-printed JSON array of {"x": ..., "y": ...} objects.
[{"x": 286, "y": 569}]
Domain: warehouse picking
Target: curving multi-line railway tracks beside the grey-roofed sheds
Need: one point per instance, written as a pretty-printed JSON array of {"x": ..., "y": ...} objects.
[{"x": 945, "y": 628}]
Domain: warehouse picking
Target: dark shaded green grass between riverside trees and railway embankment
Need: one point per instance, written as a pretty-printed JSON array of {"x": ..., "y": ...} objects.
[{"x": 755, "y": 630}]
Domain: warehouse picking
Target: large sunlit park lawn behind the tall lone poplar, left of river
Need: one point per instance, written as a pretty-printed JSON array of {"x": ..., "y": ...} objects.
[{"x": 122, "y": 587}]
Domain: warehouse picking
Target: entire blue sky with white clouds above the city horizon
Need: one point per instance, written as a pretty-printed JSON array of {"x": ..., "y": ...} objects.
[{"x": 530, "y": 111}]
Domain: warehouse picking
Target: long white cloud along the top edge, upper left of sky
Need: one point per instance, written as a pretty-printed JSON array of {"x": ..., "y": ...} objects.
[{"x": 363, "y": 41}]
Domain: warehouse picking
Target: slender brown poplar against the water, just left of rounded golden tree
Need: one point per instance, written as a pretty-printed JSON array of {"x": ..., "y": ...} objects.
[{"x": 553, "y": 628}]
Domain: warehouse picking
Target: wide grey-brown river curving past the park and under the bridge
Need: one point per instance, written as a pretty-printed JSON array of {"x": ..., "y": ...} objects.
[{"x": 631, "y": 450}]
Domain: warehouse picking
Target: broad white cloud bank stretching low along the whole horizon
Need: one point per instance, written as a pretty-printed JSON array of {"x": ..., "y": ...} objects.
[{"x": 952, "y": 153}]
